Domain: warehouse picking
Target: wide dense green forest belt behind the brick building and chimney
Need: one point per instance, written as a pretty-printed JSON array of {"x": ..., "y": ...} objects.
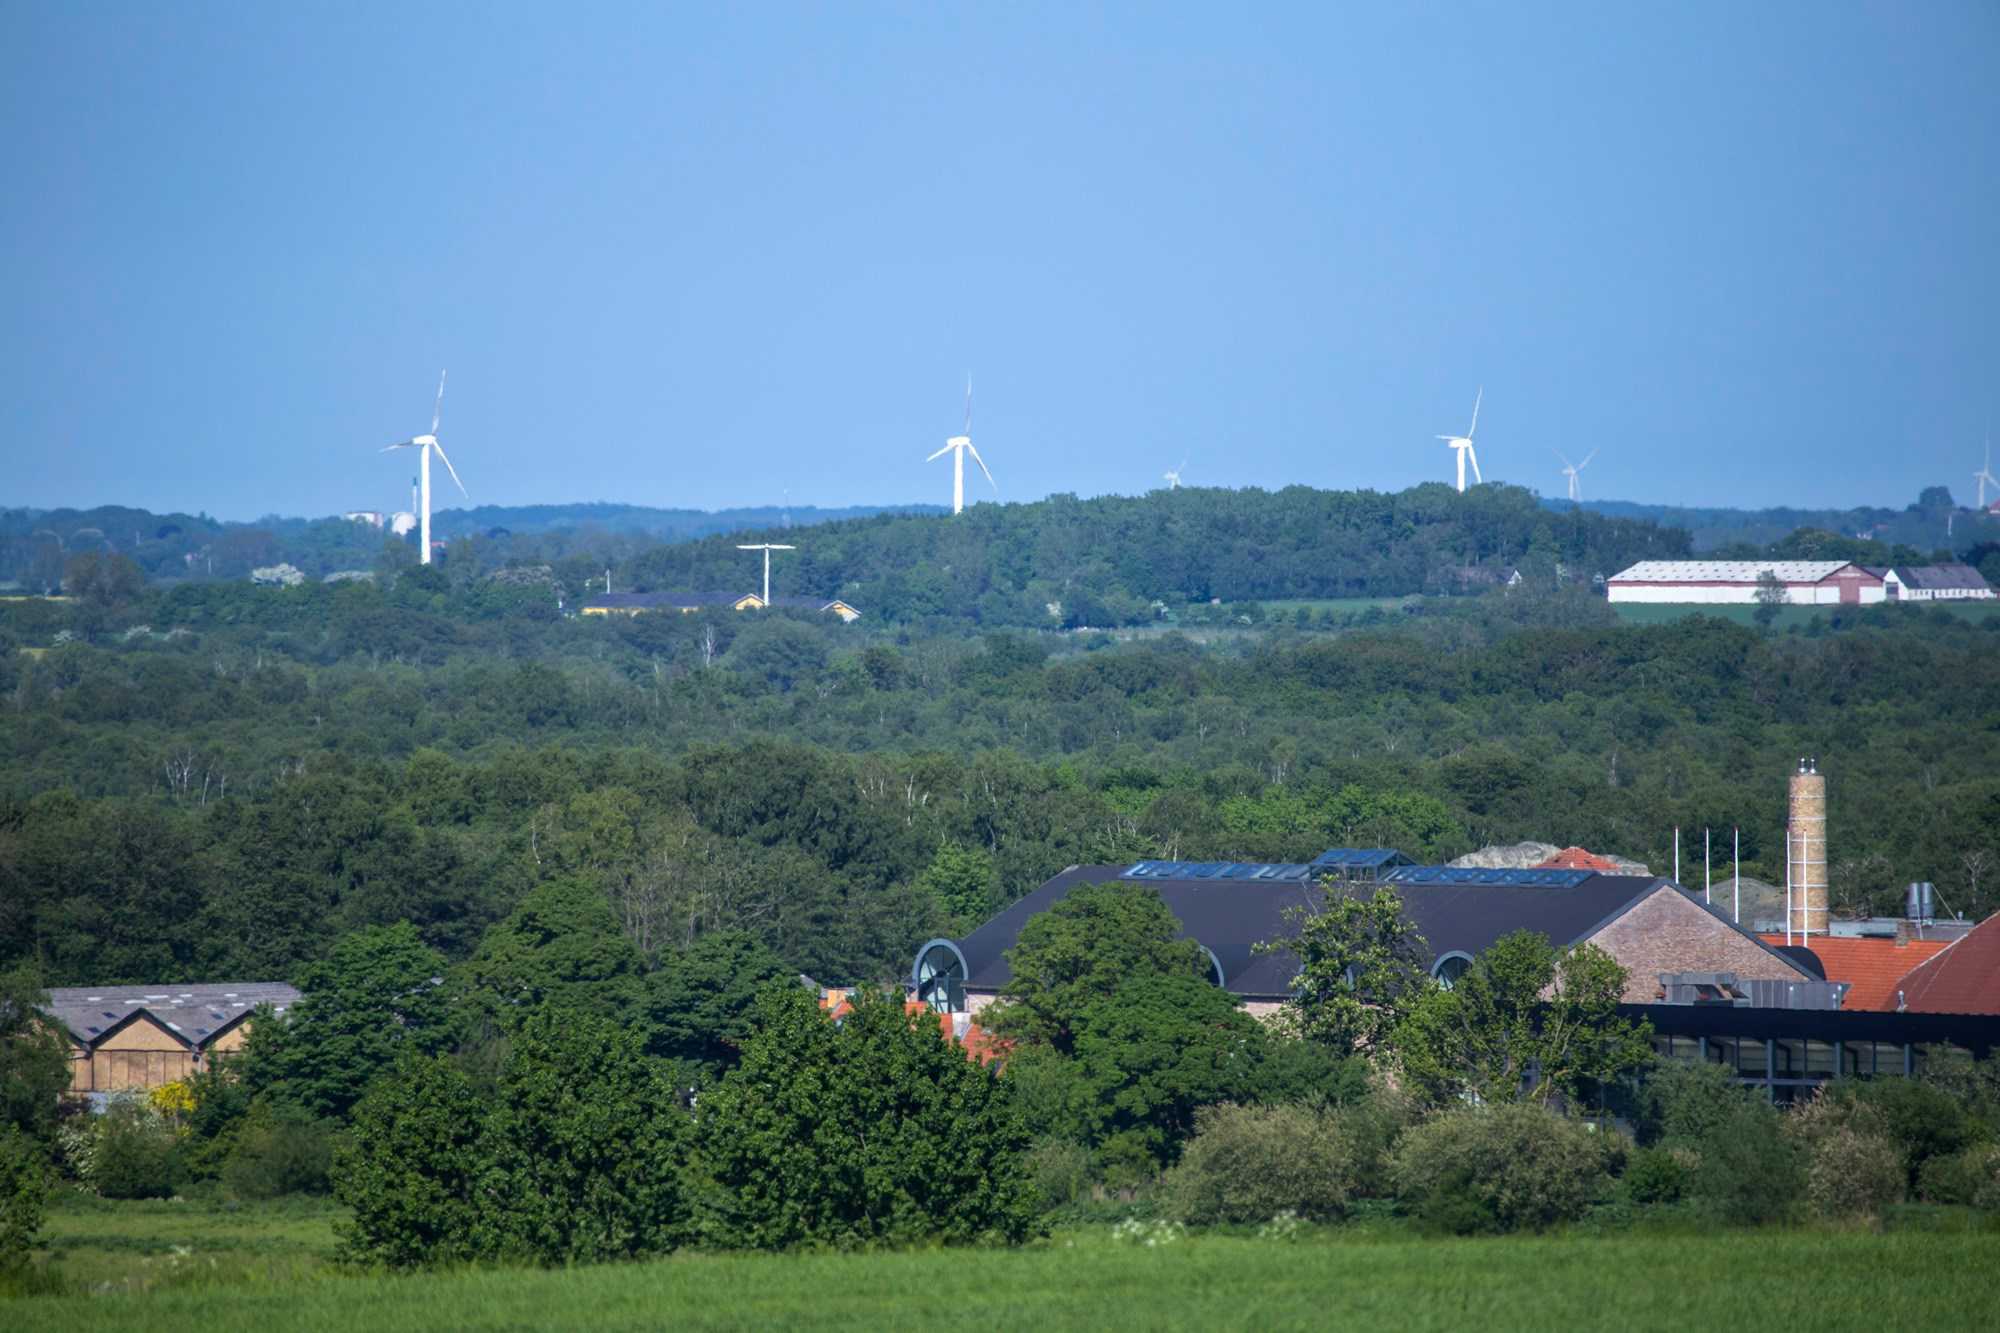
[{"x": 217, "y": 790}]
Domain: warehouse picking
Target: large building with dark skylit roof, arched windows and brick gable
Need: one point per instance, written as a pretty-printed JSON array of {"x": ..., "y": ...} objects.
[{"x": 1645, "y": 922}]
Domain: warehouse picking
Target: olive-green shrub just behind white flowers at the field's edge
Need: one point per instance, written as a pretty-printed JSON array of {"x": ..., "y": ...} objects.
[{"x": 1251, "y": 1164}]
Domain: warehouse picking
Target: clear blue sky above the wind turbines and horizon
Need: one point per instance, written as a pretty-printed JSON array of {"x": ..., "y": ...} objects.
[{"x": 703, "y": 255}]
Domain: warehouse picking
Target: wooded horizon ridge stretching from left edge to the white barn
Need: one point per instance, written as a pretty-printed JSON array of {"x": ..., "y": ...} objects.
[{"x": 1053, "y": 563}]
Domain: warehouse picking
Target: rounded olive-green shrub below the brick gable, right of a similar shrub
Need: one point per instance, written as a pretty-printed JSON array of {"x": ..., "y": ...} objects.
[{"x": 1503, "y": 1168}]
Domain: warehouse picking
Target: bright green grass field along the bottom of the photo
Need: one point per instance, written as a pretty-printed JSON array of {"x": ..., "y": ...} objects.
[{"x": 1635, "y": 1282}]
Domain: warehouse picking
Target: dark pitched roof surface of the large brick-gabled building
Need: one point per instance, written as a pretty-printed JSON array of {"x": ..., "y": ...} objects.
[{"x": 1231, "y": 918}]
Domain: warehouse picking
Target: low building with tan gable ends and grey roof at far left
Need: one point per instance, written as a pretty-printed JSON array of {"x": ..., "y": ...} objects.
[{"x": 137, "y": 1038}]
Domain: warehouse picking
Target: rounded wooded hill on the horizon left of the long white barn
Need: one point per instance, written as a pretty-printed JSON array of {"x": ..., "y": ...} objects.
[{"x": 1111, "y": 559}]
